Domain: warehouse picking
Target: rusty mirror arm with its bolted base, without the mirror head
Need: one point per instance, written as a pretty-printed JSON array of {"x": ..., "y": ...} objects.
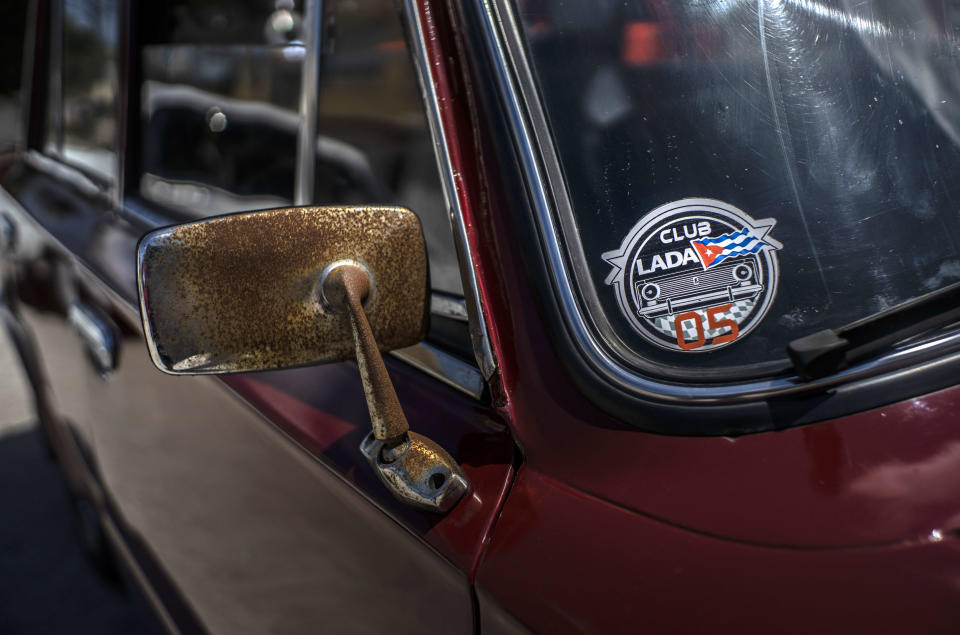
[{"x": 416, "y": 470}]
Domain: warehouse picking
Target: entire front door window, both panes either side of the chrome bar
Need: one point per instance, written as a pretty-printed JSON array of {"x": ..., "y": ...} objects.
[{"x": 219, "y": 96}]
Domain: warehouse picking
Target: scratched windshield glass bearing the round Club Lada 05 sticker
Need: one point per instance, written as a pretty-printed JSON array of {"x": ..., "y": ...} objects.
[{"x": 742, "y": 173}]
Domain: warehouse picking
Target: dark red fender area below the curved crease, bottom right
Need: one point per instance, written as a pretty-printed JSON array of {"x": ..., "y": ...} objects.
[{"x": 562, "y": 561}]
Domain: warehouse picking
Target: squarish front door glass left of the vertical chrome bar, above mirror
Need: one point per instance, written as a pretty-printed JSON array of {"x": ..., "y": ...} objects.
[{"x": 219, "y": 99}]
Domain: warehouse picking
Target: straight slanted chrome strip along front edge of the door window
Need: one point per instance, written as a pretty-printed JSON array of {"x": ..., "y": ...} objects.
[{"x": 479, "y": 336}]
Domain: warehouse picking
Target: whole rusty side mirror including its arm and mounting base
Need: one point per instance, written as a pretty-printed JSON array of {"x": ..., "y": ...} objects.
[{"x": 290, "y": 287}]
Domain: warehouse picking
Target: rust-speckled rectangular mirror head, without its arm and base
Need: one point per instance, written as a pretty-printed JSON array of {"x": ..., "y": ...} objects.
[{"x": 242, "y": 292}]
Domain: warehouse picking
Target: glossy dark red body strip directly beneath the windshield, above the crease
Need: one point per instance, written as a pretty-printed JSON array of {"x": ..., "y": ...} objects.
[{"x": 871, "y": 478}]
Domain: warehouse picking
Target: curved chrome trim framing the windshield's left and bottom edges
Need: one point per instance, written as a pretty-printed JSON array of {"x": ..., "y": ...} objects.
[{"x": 535, "y": 150}]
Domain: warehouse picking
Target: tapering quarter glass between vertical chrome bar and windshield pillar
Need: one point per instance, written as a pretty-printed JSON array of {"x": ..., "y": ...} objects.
[{"x": 374, "y": 144}]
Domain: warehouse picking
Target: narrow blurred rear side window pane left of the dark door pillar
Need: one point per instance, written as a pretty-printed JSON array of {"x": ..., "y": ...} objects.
[{"x": 89, "y": 80}]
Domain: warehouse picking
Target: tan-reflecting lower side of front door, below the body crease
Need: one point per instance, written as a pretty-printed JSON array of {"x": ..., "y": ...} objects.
[{"x": 258, "y": 534}]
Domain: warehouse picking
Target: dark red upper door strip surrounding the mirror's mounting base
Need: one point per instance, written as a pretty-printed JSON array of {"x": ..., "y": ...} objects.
[{"x": 317, "y": 407}]
